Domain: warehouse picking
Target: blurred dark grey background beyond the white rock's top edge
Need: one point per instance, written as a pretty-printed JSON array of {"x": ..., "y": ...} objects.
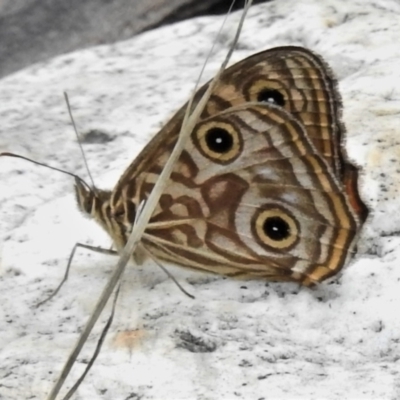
[{"x": 35, "y": 30}]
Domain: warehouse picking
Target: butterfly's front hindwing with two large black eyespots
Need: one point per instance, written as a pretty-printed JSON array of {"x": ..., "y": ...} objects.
[{"x": 252, "y": 196}]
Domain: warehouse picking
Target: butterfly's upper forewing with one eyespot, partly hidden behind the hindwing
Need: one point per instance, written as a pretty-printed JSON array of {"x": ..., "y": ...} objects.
[{"x": 291, "y": 77}]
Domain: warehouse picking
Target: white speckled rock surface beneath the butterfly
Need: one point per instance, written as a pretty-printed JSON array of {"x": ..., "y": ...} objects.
[{"x": 236, "y": 340}]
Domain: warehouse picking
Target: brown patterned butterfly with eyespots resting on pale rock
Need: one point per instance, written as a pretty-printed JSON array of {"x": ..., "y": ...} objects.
[{"x": 263, "y": 188}]
